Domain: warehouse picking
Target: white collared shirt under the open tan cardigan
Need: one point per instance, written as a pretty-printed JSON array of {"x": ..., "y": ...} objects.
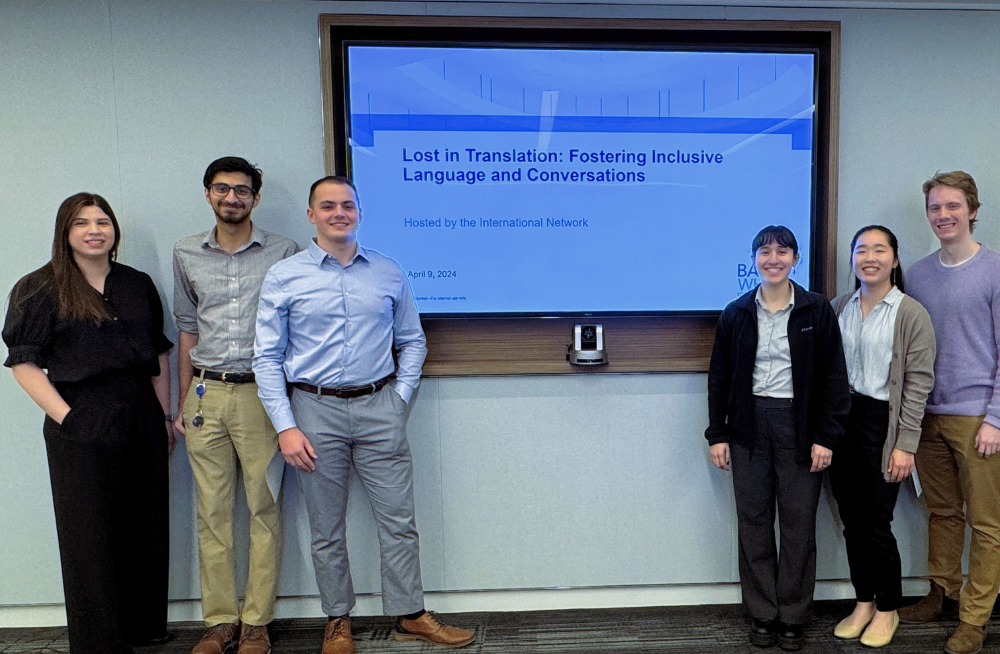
[{"x": 868, "y": 343}]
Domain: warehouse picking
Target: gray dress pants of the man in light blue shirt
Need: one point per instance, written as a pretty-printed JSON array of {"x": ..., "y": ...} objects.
[{"x": 368, "y": 433}]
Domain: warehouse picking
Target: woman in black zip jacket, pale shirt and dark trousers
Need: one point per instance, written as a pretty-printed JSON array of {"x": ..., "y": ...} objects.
[{"x": 778, "y": 399}]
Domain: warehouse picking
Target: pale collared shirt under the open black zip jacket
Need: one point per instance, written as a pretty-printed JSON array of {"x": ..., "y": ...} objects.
[{"x": 772, "y": 370}]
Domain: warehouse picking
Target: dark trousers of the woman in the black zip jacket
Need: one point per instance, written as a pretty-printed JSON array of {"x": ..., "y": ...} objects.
[{"x": 777, "y": 584}]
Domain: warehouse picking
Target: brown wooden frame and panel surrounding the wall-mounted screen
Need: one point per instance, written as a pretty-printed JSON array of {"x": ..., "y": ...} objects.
[{"x": 524, "y": 346}]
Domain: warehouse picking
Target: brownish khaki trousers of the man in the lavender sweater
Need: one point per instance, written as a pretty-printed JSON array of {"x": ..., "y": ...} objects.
[{"x": 961, "y": 486}]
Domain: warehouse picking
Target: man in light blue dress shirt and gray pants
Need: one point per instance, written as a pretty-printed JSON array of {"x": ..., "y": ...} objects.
[{"x": 328, "y": 320}]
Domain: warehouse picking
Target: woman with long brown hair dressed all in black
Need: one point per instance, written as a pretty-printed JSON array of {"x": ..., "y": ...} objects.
[{"x": 86, "y": 343}]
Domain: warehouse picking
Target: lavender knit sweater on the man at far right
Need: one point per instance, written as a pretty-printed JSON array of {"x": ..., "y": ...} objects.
[{"x": 964, "y": 303}]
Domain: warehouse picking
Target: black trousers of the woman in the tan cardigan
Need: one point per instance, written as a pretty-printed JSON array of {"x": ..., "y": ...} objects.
[{"x": 866, "y": 501}]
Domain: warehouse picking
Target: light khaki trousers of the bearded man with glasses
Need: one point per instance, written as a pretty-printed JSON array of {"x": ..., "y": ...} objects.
[{"x": 236, "y": 427}]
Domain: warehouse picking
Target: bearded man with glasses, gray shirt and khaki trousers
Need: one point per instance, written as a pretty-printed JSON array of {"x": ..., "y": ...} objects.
[{"x": 217, "y": 278}]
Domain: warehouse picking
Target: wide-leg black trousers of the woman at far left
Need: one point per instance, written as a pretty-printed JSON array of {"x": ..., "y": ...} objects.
[{"x": 108, "y": 469}]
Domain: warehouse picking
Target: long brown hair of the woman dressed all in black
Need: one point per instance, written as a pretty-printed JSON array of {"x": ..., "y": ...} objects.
[{"x": 77, "y": 299}]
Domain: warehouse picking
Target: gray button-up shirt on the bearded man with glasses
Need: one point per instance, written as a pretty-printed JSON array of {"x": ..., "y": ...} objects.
[{"x": 216, "y": 293}]
